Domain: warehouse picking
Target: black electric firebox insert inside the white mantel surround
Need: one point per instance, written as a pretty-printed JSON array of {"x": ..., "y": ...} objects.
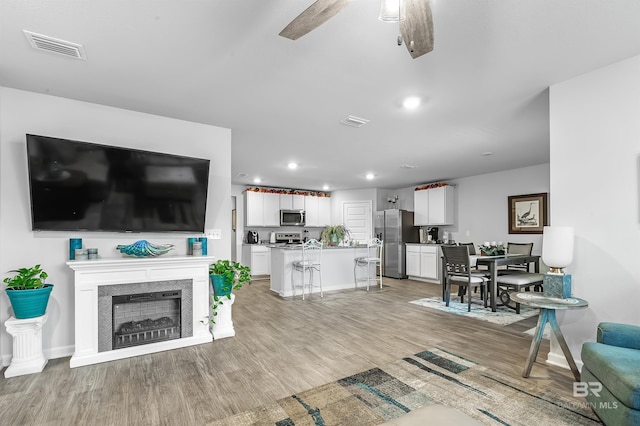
[{"x": 140, "y": 319}]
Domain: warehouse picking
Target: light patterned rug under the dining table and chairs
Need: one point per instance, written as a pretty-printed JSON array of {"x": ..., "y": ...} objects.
[{"x": 502, "y": 316}]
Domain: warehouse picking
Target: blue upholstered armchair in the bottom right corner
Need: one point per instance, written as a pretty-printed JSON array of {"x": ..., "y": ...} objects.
[{"x": 614, "y": 361}]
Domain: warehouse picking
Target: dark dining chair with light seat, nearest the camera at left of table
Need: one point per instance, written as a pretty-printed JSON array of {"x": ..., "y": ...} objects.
[{"x": 458, "y": 271}]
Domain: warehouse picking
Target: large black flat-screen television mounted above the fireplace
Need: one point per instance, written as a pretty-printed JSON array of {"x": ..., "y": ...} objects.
[{"x": 82, "y": 186}]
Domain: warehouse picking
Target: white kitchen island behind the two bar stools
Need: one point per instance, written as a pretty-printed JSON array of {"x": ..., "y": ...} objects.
[{"x": 337, "y": 268}]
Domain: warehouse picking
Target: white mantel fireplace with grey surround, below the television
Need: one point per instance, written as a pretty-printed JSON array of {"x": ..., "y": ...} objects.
[{"x": 98, "y": 282}]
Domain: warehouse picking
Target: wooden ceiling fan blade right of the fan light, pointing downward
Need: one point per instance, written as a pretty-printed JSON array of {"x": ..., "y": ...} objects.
[{"x": 417, "y": 27}]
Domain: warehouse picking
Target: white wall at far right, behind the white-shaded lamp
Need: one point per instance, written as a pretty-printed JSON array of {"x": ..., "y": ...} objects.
[{"x": 595, "y": 176}]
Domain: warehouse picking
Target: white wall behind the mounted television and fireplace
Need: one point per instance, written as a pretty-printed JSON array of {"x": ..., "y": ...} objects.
[{"x": 25, "y": 112}]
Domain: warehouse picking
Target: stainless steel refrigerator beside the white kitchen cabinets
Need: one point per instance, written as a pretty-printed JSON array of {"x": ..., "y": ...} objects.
[{"x": 395, "y": 228}]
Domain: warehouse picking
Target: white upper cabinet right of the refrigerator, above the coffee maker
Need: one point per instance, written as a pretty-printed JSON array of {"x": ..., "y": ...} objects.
[{"x": 434, "y": 205}]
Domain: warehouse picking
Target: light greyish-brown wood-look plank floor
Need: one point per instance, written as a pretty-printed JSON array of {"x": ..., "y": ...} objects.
[{"x": 281, "y": 347}]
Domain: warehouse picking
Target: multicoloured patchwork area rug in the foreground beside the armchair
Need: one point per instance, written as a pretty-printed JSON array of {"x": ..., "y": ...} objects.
[{"x": 429, "y": 377}]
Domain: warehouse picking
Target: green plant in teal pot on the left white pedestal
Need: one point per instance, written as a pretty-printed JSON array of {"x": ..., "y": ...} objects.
[{"x": 27, "y": 292}]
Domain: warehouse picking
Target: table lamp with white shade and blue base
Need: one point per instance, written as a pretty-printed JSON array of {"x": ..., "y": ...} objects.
[{"x": 557, "y": 253}]
